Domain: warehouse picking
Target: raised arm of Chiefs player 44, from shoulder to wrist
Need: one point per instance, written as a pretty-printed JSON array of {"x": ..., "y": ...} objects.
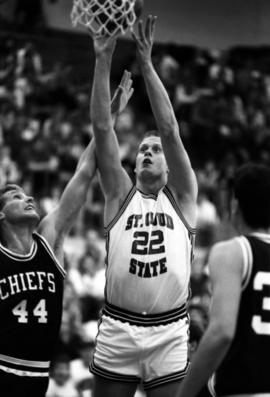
[{"x": 55, "y": 226}]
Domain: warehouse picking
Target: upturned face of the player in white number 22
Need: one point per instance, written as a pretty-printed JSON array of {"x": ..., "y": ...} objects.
[{"x": 150, "y": 157}]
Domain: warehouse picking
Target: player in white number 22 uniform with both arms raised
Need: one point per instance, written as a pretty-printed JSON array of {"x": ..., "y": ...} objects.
[{"x": 150, "y": 232}]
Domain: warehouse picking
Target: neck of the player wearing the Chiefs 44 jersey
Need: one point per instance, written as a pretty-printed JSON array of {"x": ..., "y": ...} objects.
[{"x": 18, "y": 239}]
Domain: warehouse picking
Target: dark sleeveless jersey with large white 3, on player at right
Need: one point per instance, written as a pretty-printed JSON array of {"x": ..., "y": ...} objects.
[{"x": 244, "y": 369}]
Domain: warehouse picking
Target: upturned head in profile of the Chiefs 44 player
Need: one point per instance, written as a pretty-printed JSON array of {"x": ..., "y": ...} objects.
[{"x": 19, "y": 207}]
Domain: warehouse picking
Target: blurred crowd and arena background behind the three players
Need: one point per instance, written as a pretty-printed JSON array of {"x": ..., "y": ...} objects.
[{"x": 214, "y": 59}]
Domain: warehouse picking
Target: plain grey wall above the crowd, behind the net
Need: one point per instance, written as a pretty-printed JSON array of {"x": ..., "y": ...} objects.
[{"x": 208, "y": 23}]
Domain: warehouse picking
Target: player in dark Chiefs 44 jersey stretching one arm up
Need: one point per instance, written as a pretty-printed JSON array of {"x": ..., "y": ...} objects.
[{"x": 31, "y": 280}]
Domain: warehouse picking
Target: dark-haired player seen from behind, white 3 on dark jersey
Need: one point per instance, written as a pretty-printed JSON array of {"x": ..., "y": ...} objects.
[{"x": 236, "y": 344}]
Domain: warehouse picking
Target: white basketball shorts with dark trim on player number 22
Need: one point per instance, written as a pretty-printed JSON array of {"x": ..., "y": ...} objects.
[{"x": 153, "y": 354}]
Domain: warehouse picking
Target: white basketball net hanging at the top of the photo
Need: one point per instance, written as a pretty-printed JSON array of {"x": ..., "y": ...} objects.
[{"x": 104, "y": 17}]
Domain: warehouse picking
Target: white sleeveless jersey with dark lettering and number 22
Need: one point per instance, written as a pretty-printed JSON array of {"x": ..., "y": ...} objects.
[{"x": 149, "y": 249}]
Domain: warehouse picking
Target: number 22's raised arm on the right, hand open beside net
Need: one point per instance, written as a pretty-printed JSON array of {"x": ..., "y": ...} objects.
[{"x": 181, "y": 174}]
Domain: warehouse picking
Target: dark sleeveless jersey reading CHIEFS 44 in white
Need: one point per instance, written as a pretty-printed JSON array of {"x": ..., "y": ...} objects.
[{"x": 31, "y": 292}]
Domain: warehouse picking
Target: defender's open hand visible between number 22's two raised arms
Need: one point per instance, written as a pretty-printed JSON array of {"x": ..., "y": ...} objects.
[{"x": 122, "y": 94}]
